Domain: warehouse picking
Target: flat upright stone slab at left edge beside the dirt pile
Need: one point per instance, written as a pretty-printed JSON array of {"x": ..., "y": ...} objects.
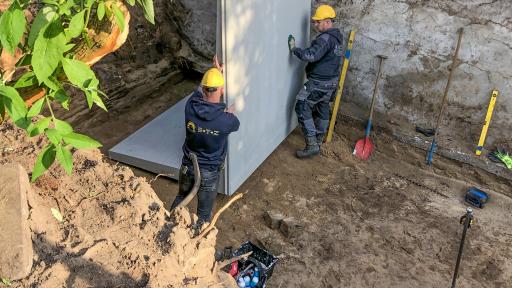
[{"x": 15, "y": 239}]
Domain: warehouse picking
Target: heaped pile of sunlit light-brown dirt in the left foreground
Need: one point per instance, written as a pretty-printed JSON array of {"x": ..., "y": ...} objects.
[{"x": 115, "y": 231}]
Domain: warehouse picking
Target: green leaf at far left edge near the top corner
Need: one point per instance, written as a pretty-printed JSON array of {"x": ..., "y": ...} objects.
[{"x": 12, "y": 27}]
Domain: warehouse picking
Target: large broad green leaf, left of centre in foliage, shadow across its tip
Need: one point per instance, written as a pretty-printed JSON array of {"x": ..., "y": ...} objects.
[{"x": 48, "y": 50}]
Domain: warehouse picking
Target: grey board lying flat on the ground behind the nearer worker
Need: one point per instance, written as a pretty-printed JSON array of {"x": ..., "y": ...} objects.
[{"x": 157, "y": 146}]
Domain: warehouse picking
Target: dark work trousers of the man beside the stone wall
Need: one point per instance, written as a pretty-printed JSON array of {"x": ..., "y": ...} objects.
[{"x": 312, "y": 106}]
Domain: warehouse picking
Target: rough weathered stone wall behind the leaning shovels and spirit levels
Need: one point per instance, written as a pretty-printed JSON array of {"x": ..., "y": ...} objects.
[{"x": 419, "y": 37}]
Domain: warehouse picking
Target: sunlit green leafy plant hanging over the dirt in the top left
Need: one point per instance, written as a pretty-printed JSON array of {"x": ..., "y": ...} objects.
[{"x": 49, "y": 62}]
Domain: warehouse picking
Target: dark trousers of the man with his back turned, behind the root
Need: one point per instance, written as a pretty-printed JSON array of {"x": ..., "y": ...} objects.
[{"x": 207, "y": 190}]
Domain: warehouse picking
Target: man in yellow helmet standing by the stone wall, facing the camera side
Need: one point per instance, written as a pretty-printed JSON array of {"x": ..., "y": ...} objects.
[{"x": 323, "y": 71}]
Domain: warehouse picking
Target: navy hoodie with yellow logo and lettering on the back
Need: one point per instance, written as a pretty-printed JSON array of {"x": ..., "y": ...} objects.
[{"x": 208, "y": 127}]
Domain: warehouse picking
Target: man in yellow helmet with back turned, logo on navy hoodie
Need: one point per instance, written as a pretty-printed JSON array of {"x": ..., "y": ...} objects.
[{"x": 208, "y": 124}]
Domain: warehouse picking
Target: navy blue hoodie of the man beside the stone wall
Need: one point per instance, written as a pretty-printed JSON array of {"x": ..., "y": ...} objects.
[{"x": 323, "y": 56}]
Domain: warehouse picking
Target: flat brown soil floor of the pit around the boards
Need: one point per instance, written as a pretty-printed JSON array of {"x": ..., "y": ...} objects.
[{"x": 388, "y": 222}]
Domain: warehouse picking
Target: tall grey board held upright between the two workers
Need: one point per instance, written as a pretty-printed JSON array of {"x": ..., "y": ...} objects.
[{"x": 262, "y": 77}]
